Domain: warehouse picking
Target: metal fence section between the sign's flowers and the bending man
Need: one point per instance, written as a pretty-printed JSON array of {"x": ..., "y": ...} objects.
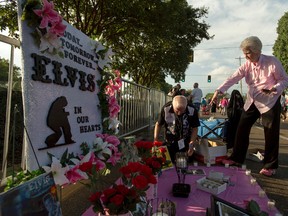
[{"x": 140, "y": 107}]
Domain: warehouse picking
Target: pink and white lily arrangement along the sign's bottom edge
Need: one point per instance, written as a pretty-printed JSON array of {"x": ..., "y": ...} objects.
[{"x": 94, "y": 161}]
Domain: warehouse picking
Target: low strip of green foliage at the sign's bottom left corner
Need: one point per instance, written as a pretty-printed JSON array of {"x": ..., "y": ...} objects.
[{"x": 21, "y": 177}]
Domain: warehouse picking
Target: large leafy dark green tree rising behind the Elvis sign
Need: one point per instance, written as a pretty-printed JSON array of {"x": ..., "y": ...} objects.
[{"x": 151, "y": 39}]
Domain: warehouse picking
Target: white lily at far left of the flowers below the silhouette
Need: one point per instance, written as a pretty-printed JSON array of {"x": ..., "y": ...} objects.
[{"x": 58, "y": 171}]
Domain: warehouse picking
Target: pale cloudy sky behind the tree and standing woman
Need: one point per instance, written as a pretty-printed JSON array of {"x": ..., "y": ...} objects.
[{"x": 231, "y": 21}]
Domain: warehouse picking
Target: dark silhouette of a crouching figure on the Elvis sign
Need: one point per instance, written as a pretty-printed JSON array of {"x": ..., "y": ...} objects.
[{"x": 57, "y": 120}]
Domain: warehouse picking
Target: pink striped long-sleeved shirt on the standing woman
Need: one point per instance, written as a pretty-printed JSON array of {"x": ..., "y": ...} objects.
[{"x": 267, "y": 73}]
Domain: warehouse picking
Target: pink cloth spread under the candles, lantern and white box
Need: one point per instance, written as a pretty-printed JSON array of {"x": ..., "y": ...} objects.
[{"x": 198, "y": 200}]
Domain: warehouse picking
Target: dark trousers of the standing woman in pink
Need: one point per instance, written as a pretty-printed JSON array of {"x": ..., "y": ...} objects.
[{"x": 271, "y": 124}]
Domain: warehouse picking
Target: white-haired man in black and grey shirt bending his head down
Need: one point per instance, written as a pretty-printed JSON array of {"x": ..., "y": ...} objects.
[{"x": 181, "y": 122}]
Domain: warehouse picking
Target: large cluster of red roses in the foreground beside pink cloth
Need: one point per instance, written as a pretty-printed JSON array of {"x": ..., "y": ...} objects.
[{"x": 123, "y": 198}]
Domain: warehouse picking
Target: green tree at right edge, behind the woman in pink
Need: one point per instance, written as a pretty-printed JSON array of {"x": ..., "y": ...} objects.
[{"x": 280, "y": 48}]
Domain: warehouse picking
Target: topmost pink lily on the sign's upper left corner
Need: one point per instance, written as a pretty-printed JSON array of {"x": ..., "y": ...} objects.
[{"x": 47, "y": 13}]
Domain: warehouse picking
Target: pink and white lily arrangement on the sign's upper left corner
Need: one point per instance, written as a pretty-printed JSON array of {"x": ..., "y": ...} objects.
[{"x": 47, "y": 23}]
